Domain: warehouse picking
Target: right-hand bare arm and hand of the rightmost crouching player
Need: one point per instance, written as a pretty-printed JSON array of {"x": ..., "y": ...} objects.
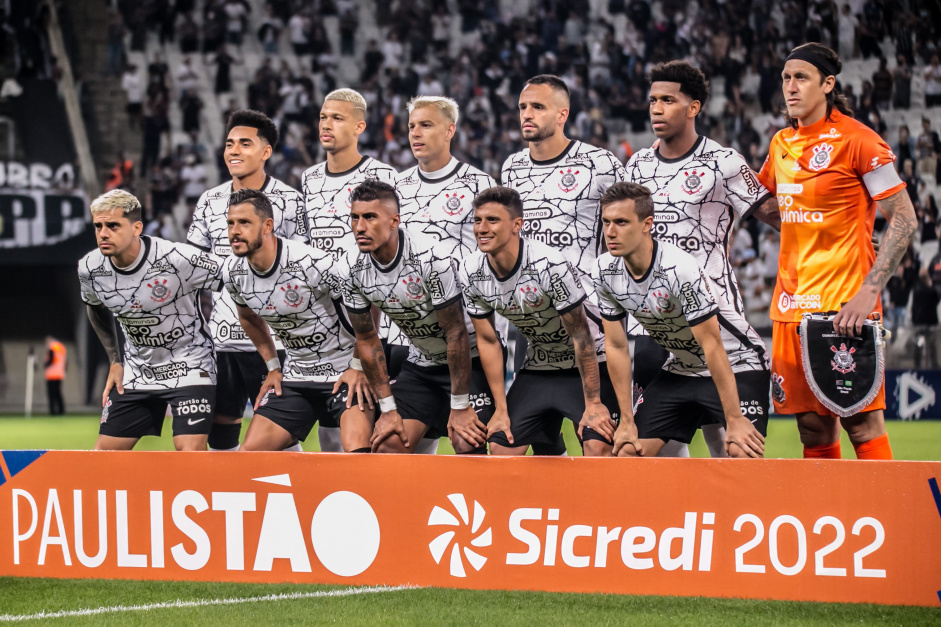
[{"x": 742, "y": 438}]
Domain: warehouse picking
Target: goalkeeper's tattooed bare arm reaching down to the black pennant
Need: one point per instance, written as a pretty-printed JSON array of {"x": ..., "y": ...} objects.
[{"x": 902, "y": 223}]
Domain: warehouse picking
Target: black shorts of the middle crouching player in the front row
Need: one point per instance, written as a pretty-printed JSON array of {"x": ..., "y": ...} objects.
[{"x": 424, "y": 394}]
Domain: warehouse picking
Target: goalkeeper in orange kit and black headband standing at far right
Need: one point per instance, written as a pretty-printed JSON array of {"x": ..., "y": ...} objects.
[{"x": 830, "y": 172}]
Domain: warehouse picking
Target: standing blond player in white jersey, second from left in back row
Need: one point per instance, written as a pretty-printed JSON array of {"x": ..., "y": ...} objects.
[{"x": 327, "y": 185}]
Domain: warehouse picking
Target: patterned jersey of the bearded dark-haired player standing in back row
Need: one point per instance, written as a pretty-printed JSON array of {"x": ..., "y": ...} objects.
[{"x": 560, "y": 198}]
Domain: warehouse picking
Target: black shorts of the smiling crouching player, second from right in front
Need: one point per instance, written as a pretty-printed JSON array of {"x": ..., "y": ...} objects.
[{"x": 539, "y": 400}]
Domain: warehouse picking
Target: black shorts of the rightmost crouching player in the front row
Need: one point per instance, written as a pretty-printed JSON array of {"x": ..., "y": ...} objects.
[{"x": 673, "y": 406}]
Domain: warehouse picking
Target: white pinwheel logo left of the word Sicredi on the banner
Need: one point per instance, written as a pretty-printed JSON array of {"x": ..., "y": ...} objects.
[{"x": 442, "y": 517}]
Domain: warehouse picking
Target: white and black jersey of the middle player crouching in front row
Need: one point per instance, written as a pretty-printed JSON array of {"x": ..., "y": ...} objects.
[{"x": 420, "y": 280}]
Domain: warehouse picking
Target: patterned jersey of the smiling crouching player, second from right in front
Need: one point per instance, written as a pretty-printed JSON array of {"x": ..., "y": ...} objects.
[{"x": 540, "y": 289}]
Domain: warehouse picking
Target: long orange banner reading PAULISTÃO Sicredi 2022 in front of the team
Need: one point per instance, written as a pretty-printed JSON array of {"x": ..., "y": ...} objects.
[{"x": 841, "y": 531}]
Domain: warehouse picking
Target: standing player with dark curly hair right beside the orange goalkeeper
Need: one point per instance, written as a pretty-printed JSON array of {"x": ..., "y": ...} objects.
[{"x": 698, "y": 188}]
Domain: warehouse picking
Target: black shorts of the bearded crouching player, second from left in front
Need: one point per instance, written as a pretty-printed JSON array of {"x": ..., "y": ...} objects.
[{"x": 301, "y": 405}]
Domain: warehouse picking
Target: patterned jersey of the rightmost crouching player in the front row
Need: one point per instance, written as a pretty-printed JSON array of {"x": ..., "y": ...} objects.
[{"x": 674, "y": 295}]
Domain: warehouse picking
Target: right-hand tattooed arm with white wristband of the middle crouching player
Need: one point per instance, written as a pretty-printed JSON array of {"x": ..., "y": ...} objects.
[{"x": 462, "y": 423}]
